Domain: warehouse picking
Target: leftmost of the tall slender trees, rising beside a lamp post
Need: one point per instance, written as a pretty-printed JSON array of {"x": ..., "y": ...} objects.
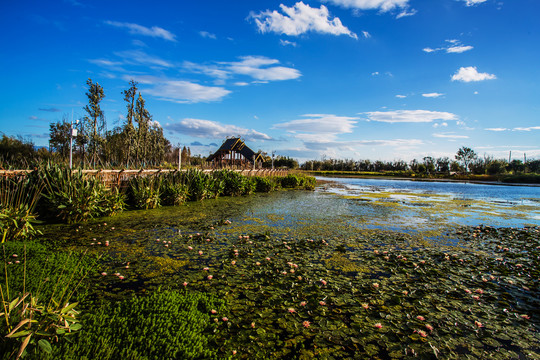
[{"x": 95, "y": 121}]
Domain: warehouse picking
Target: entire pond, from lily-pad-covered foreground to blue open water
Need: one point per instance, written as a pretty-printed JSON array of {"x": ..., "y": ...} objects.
[{"x": 358, "y": 268}]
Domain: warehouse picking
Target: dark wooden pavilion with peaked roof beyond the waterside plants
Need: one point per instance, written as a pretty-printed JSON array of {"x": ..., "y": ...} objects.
[{"x": 234, "y": 153}]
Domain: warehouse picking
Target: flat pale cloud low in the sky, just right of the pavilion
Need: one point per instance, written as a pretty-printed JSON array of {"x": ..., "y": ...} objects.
[{"x": 320, "y": 123}]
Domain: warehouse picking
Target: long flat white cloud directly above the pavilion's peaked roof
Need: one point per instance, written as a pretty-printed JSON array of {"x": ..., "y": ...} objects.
[{"x": 214, "y": 130}]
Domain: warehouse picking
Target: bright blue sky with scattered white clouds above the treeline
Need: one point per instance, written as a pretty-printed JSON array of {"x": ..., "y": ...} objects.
[{"x": 314, "y": 79}]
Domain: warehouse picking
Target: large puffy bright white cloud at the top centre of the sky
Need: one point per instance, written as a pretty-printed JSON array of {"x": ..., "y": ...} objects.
[{"x": 300, "y": 19}]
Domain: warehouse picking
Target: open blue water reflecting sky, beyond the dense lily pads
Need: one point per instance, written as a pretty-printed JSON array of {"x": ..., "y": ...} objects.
[{"x": 411, "y": 206}]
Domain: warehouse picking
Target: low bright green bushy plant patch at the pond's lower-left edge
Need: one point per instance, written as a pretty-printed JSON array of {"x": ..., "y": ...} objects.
[{"x": 164, "y": 325}]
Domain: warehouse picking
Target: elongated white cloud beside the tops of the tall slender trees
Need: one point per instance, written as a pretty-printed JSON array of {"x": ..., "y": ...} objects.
[{"x": 179, "y": 91}]
